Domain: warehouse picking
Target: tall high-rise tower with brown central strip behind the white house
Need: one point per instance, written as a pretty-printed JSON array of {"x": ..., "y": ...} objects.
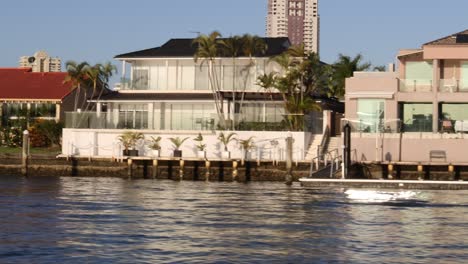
[{"x": 297, "y": 19}]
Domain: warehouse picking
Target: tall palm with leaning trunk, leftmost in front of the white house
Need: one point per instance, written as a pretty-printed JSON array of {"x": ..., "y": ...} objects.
[{"x": 208, "y": 50}]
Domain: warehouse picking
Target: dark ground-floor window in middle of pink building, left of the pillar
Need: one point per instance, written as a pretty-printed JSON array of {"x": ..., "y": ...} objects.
[{"x": 416, "y": 117}]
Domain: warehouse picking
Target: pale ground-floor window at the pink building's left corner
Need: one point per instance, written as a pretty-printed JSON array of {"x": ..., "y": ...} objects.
[{"x": 371, "y": 114}]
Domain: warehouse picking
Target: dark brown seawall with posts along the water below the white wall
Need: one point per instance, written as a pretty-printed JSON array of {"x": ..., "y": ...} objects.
[{"x": 219, "y": 170}]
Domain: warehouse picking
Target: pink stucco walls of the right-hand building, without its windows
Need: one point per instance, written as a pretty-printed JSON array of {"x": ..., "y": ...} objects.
[{"x": 414, "y": 147}]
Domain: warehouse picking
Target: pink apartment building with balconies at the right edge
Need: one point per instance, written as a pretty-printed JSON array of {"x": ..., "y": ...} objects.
[{"x": 412, "y": 113}]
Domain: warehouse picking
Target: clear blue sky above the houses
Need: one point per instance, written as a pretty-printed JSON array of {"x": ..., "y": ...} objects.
[{"x": 97, "y": 30}]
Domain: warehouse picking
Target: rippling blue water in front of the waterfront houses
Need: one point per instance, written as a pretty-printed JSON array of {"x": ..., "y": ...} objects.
[{"x": 111, "y": 220}]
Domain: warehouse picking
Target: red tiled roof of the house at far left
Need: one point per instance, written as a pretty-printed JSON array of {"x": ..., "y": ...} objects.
[{"x": 22, "y": 83}]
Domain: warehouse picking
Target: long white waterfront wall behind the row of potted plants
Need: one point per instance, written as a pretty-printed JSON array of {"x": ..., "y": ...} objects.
[{"x": 104, "y": 143}]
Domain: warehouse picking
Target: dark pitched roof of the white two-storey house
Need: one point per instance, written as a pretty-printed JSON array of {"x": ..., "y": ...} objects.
[{"x": 186, "y": 48}]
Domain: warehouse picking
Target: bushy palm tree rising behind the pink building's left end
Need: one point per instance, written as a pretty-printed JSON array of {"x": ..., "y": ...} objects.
[{"x": 344, "y": 68}]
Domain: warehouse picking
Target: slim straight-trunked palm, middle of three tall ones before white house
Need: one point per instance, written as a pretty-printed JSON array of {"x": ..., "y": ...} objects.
[{"x": 232, "y": 47}]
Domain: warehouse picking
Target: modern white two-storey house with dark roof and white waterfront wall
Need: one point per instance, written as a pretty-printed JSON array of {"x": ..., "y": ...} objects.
[{"x": 165, "y": 92}]
